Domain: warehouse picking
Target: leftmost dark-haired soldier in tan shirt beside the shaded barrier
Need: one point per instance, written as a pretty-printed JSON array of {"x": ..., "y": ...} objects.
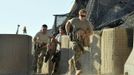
[{"x": 40, "y": 46}]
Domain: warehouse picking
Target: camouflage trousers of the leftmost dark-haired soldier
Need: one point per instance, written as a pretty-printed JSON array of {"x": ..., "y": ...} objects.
[{"x": 38, "y": 59}]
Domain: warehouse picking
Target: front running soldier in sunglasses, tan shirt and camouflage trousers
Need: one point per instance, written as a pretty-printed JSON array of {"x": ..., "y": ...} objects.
[{"x": 80, "y": 30}]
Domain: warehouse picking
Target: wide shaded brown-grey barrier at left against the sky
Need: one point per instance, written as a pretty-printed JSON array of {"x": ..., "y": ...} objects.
[{"x": 15, "y": 54}]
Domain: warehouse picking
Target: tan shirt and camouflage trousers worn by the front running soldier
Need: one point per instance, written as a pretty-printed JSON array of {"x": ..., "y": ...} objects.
[{"x": 81, "y": 33}]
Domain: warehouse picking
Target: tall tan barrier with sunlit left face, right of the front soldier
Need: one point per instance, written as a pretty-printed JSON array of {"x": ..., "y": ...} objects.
[{"x": 114, "y": 51}]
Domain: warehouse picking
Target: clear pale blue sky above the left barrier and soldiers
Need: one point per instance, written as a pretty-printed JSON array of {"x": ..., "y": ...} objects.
[{"x": 30, "y": 13}]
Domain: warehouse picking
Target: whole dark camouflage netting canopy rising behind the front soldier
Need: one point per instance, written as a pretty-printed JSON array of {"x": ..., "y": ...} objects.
[{"x": 101, "y": 13}]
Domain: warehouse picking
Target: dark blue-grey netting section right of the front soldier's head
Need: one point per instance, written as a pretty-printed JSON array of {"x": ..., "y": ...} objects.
[{"x": 106, "y": 12}]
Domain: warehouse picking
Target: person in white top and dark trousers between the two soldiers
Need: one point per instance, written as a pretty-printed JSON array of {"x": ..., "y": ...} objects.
[{"x": 55, "y": 51}]
